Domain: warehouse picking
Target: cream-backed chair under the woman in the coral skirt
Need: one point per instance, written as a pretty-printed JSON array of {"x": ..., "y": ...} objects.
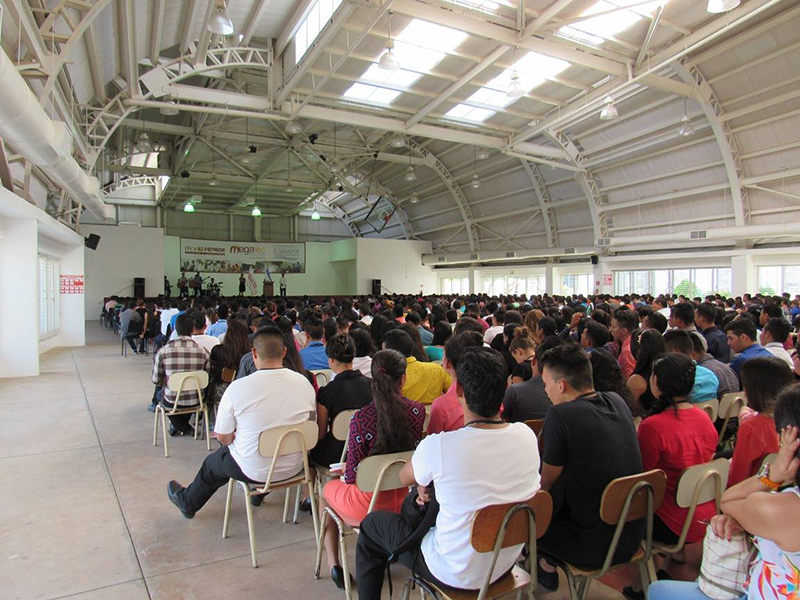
[{"x": 376, "y": 474}]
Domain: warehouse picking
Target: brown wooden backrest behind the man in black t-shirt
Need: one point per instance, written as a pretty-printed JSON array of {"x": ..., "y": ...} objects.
[{"x": 612, "y": 503}]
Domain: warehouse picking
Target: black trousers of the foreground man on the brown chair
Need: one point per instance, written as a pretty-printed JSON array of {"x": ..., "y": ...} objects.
[{"x": 382, "y": 532}]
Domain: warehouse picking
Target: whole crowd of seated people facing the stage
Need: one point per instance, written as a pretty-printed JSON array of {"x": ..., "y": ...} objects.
[{"x": 616, "y": 379}]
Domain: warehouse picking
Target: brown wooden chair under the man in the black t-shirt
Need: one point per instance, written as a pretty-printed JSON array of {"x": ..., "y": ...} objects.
[{"x": 652, "y": 484}]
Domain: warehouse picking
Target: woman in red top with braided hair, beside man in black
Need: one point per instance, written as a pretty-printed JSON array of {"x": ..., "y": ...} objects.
[{"x": 677, "y": 435}]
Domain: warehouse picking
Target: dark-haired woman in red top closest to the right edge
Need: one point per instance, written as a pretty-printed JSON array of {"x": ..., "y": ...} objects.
[{"x": 762, "y": 379}]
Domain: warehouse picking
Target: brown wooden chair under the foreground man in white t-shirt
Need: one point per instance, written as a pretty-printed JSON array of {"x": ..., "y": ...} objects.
[{"x": 493, "y": 530}]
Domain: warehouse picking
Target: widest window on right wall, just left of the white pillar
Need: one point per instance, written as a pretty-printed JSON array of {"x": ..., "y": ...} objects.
[{"x": 689, "y": 282}]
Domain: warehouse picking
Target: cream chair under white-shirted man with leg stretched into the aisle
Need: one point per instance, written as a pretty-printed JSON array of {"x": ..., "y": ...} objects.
[{"x": 291, "y": 439}]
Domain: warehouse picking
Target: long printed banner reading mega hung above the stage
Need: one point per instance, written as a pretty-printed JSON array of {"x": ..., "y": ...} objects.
[{"x": 209, "y": 256}]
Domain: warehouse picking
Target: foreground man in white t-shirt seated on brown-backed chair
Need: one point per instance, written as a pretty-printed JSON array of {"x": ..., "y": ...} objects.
[{"x": 487, "y": 462}]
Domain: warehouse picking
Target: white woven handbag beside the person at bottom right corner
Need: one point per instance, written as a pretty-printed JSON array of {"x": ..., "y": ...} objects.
[{"x": 726, "y": 565}]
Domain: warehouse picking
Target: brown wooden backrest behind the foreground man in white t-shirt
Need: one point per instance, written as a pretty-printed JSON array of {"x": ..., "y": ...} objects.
[{"x": 488, "y": 523}]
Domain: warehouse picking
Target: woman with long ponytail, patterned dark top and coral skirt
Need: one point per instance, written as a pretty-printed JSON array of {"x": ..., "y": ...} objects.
[{"x": 390, "y": 423}]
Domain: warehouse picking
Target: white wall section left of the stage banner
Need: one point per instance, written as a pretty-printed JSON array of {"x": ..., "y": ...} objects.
[{"x": 123, "y": 253}]
